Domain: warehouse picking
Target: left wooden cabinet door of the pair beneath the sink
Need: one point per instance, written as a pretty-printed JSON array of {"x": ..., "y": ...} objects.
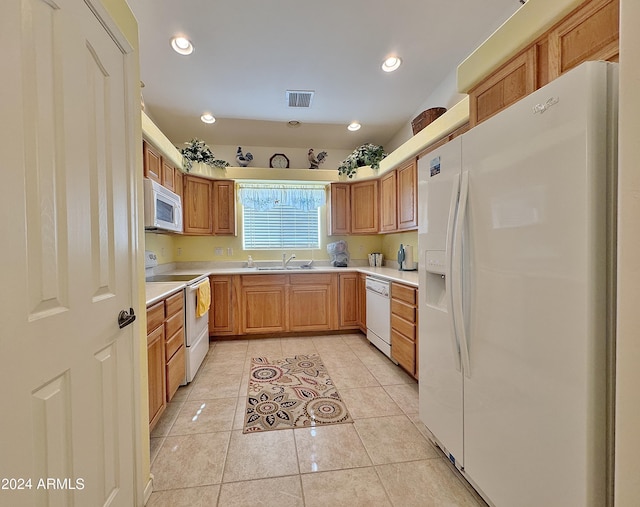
[{"x": 263, "y": 309}]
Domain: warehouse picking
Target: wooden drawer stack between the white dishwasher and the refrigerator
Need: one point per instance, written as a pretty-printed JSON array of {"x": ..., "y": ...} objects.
[{"x": 404, "y": 327}]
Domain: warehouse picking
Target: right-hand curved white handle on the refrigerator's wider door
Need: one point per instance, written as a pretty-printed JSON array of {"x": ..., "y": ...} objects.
[{"x": 456, "y": 274}]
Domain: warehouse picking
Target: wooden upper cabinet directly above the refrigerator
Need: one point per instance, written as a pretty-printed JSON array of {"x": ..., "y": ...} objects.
[{"x": 590, "y": 32}]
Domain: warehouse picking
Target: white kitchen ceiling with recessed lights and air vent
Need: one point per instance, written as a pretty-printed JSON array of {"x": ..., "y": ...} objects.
[{"x": 249, "y": 52}]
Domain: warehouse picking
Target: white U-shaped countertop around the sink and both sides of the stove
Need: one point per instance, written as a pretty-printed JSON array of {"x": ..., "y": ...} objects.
[{"x": 156, "y": 291}]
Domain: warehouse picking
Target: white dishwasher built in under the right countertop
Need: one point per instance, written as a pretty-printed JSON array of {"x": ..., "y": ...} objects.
[{"x": 379, "y": 314}]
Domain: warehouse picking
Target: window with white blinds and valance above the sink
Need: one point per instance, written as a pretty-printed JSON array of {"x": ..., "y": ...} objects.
[{"x": 281, "y": 216}]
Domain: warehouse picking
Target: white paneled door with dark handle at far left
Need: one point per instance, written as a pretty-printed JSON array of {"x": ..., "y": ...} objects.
[{"x": 68, "y": 373}]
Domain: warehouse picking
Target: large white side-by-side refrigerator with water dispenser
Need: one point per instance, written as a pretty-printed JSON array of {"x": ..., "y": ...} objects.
[{"x": 516, "y": 272}]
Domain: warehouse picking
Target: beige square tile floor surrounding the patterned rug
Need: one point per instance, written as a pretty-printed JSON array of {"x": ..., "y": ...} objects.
[{"x": 199, "y": 456}]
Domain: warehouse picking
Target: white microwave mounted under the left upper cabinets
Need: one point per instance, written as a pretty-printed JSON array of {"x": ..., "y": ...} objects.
[{"x": 162, "y": 208}]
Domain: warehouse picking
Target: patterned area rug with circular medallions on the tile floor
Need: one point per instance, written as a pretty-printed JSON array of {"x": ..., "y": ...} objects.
[{"x": 294, "y": 392}]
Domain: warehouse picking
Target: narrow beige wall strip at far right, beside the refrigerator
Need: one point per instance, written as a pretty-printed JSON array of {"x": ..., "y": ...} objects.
[{"x": 627, "y": 480}]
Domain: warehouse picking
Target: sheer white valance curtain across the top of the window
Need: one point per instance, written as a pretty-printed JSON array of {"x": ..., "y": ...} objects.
[{"x": 263, "y": 197}]
